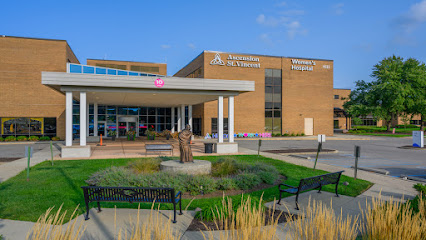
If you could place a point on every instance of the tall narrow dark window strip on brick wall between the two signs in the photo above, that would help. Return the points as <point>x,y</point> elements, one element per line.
<point>273,99</point>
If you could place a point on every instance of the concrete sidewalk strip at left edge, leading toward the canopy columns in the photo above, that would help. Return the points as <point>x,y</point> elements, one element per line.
<point>11,169</point>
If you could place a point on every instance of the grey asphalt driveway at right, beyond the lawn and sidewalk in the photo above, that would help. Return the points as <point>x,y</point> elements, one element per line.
<point>378,152</point>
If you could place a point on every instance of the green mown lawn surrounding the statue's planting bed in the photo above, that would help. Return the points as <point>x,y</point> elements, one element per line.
<point>60,184</point>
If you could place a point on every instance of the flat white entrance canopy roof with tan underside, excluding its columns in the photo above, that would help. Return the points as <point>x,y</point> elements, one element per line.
<point>144,90</point>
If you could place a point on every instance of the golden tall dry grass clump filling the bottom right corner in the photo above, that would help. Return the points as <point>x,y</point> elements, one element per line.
<point>393,220</point>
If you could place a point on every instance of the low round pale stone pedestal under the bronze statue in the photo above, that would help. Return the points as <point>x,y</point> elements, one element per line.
<point>197,167</point>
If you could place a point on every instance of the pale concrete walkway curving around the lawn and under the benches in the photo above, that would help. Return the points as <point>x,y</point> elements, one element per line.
<point>102,225</point>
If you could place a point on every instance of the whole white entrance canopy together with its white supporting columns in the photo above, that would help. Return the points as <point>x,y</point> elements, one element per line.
<point>105,86</point>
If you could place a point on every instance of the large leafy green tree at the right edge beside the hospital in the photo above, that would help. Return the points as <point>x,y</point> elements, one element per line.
<point>398,88</point>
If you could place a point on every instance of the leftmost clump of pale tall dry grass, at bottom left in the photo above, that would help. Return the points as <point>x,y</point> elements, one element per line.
<point>50,227</point>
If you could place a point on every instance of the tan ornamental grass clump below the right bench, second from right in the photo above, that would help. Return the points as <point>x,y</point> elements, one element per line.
<point>321,223</point>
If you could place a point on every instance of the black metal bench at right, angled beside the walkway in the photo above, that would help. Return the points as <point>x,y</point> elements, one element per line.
<point>311,183</point>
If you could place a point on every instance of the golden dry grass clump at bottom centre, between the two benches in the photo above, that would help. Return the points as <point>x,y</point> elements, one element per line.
<point>246,223</point>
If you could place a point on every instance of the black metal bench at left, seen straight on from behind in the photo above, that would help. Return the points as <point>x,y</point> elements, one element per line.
<point>131,194</point>
